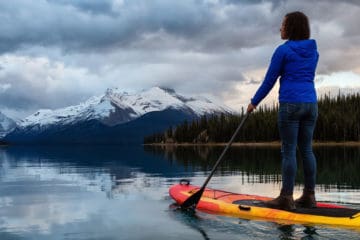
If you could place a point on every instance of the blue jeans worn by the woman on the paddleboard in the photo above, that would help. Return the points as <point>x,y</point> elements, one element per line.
<point>296,127</point>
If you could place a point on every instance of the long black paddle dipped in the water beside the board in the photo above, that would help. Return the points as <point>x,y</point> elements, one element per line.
<point>194,199</point>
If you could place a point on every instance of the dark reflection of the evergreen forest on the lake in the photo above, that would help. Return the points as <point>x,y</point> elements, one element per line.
<point>337,166</point>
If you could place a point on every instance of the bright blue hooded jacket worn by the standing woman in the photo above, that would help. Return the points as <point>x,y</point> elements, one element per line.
<point>295,62</point>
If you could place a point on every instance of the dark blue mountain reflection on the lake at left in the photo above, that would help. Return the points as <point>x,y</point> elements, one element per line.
<point>119,162</point>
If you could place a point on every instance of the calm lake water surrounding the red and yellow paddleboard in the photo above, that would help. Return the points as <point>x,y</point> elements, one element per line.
<point>113,192</point>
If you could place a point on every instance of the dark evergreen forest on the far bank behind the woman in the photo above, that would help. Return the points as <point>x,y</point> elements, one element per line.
<point>339,120</point>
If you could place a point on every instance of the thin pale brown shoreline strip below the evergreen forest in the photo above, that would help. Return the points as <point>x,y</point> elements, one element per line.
<point>255,144</point>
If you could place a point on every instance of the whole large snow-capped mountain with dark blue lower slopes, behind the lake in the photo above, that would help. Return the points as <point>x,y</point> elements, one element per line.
<point>114,117</point>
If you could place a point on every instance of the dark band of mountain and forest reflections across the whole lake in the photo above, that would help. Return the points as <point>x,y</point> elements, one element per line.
<point>337,166</point>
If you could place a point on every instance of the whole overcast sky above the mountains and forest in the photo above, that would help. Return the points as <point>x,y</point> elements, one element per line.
<point>56,53</point>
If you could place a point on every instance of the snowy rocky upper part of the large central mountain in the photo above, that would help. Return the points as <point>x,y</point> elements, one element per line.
<point>117,106</point>
